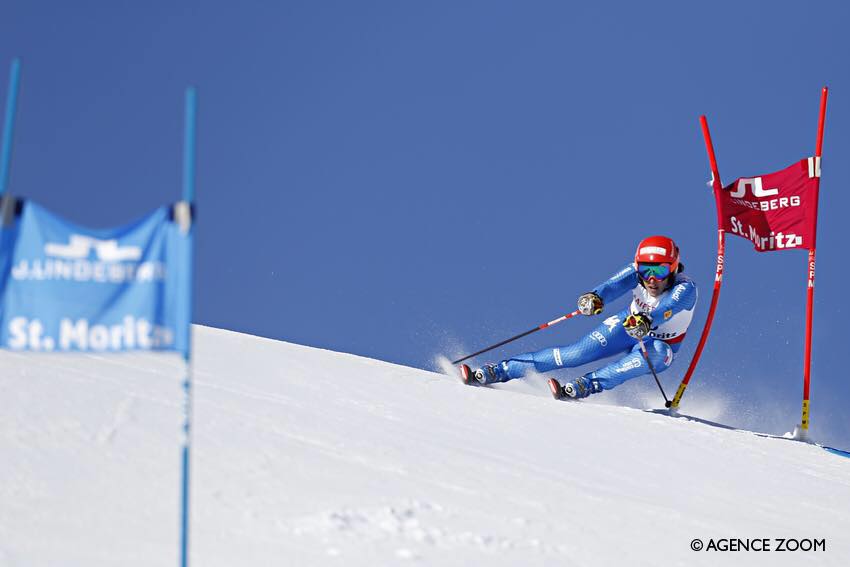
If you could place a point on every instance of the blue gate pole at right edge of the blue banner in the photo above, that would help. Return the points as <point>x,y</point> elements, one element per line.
<point>188,197</point>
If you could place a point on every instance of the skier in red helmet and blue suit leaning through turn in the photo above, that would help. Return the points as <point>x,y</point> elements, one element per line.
<point>663,301</point>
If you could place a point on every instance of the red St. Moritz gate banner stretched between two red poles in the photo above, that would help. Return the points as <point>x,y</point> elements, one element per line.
<point>776,211</point>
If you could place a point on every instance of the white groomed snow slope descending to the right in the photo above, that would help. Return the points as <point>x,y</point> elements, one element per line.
<point>310,457</point>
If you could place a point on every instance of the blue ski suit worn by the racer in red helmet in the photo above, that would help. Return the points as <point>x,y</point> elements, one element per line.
<point>671,313</point>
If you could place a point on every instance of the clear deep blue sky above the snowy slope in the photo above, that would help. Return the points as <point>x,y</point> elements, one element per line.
<point>401,179</point>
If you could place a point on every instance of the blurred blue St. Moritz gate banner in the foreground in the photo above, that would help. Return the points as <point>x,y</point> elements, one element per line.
<point>66,288</point>
